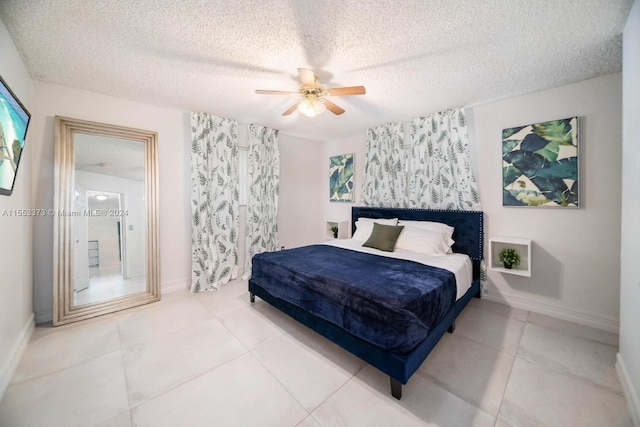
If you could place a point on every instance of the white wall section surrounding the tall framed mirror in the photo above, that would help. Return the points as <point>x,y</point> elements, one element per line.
<point>174,175</point>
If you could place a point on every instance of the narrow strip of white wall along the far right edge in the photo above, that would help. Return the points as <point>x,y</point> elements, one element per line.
<point>629,356</point>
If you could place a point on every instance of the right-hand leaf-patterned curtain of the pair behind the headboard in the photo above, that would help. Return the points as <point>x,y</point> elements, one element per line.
<point>442,177</point>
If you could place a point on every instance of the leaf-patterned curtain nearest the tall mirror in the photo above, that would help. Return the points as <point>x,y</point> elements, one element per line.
<point>214,201</point>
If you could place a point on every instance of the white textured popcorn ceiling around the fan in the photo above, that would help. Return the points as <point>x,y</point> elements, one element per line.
<point>413,56</point>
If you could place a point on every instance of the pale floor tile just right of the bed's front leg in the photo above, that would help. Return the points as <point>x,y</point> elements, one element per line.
<point>474,371</point>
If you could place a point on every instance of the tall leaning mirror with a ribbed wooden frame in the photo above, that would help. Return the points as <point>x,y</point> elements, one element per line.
<point>106,249</point>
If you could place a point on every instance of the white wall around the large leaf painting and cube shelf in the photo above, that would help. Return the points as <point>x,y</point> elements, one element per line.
<point>575,251</point>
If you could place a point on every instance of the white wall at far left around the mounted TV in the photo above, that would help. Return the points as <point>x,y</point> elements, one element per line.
<point>16,233</point>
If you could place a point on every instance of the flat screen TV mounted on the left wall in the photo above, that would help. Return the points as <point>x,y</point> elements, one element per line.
<point>14,120</point>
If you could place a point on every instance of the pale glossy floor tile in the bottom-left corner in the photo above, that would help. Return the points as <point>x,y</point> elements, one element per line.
<point>83,395</point>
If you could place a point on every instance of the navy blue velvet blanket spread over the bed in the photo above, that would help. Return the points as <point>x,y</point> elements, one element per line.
<point>389,302</point>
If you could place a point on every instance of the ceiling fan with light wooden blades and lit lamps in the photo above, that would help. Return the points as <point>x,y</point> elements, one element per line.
<point>314,94</point>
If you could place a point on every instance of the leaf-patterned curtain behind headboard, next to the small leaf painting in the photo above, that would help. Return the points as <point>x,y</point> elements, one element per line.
<point>384,172</point>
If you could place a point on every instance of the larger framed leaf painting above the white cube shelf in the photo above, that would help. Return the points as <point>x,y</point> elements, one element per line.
<point>540,164</point>
